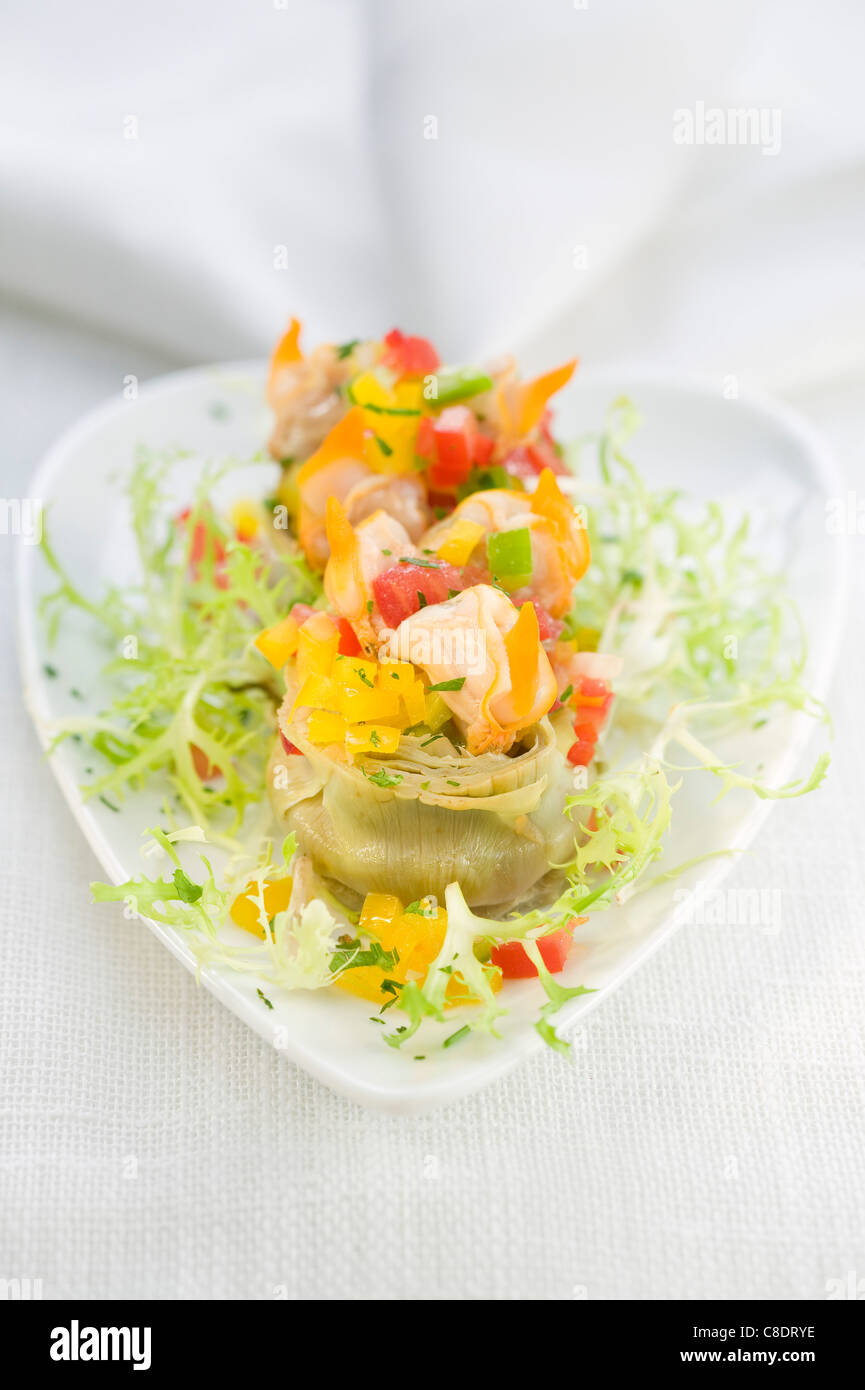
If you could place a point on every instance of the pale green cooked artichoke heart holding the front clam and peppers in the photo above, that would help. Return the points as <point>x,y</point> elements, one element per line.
<point>428,815</point>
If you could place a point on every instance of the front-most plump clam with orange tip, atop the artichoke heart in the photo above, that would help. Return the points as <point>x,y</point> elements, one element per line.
<point>479,637</point>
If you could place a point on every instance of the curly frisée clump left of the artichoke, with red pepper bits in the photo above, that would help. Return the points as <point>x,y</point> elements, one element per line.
<point>190,696</point>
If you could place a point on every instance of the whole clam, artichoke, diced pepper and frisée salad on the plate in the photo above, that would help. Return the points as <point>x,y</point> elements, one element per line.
<point>421,712</point>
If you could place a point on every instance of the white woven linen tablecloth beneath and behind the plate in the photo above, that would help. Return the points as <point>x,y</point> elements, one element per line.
<point>709,1139</point>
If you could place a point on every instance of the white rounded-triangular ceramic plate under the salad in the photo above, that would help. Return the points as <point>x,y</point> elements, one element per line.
<point>750,452</point>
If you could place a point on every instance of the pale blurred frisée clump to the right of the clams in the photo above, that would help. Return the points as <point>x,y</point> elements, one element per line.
<point>674,590</point>
